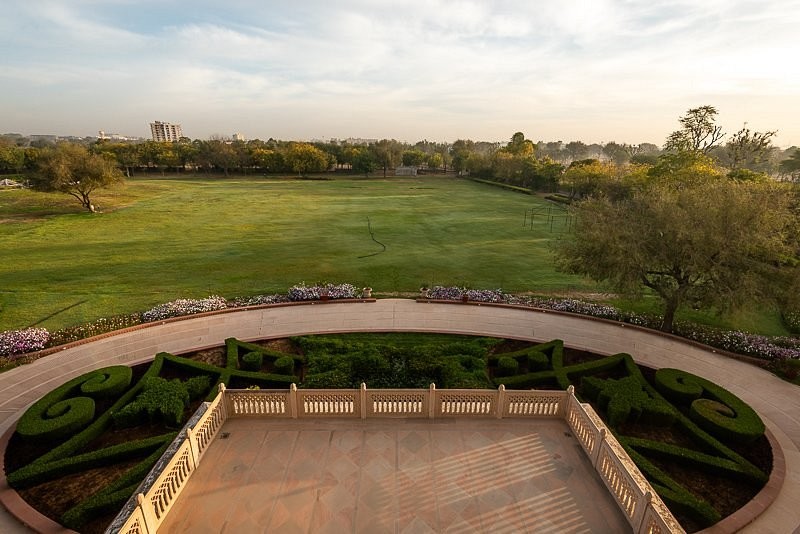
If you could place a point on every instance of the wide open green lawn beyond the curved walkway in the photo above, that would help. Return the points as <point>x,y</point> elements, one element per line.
<point>162,239</point>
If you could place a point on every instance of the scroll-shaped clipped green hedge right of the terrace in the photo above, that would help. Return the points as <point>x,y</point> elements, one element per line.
<point>714,408</point>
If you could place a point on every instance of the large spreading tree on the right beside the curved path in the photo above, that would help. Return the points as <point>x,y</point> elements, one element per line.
<point>713,243</point>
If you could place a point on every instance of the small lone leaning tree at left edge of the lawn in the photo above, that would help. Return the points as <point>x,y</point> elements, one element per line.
<point>72,169</point>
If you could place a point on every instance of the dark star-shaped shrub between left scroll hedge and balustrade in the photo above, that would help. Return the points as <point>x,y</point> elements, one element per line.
<point>161,400</point>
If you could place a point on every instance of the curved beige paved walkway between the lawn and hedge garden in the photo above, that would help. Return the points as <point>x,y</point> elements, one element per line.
<point>777,402</point>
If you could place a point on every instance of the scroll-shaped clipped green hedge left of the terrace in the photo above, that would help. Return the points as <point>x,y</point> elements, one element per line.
<point>61,413</point>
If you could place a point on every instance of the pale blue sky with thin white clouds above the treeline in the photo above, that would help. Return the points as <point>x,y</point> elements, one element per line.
<point>588,70</point>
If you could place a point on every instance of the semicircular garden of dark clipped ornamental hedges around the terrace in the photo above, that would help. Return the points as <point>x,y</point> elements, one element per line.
<point>65,426</point>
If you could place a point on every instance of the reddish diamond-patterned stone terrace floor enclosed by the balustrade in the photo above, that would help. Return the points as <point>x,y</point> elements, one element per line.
<point>395,475</point>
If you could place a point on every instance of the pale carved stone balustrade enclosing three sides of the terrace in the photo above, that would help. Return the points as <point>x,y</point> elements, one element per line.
<point>644,510</point>
